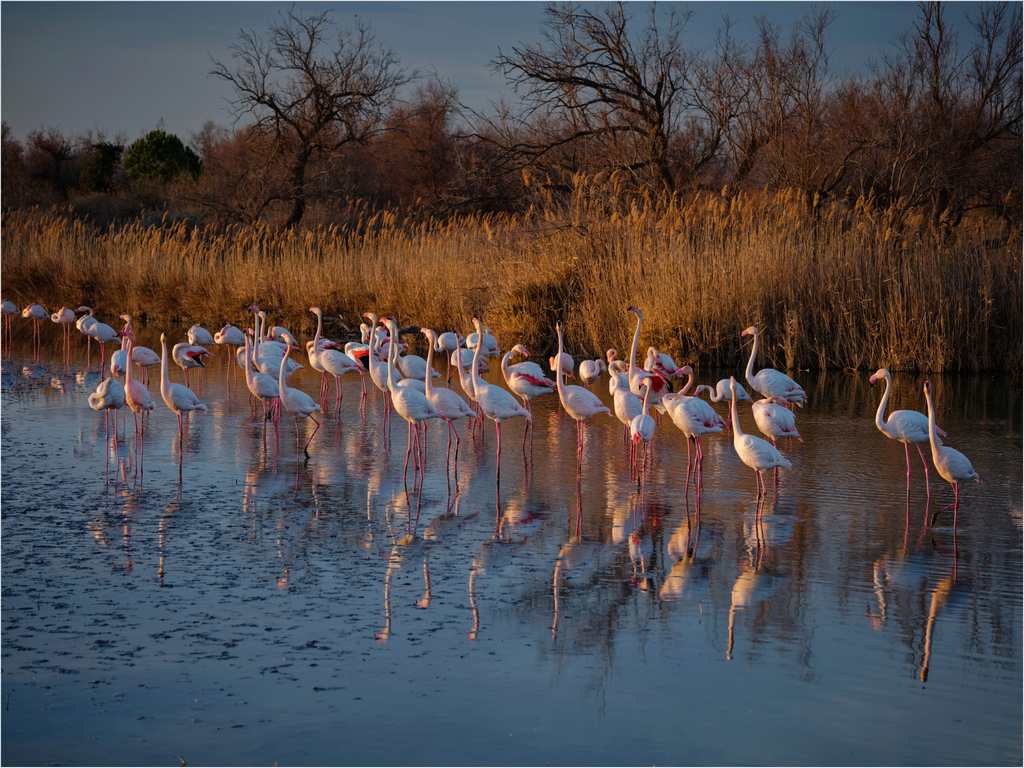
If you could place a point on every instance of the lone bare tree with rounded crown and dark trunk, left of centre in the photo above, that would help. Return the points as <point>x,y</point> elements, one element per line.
<point>312,94</point>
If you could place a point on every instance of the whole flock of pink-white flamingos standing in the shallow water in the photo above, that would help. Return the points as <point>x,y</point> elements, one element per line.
<point>265,355</point>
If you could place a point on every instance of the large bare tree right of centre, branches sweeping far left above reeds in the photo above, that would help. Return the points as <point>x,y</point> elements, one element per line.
<point>596,95</point>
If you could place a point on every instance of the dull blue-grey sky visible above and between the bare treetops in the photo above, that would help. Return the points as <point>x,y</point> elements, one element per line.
<point>127,68</point>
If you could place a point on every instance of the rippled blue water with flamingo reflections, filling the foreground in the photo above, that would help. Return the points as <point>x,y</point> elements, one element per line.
<point>268,610</point>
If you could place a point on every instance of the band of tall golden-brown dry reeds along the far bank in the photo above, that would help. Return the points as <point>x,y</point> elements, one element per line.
<point>845,288</point>
